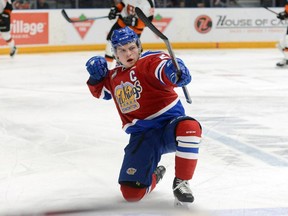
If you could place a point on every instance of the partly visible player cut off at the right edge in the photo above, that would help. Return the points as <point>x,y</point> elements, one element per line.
<point>283,43</point>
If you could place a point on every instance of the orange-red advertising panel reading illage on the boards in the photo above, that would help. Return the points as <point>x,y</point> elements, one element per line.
<point>29,28</point>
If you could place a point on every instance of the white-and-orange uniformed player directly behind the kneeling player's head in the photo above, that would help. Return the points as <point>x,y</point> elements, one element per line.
<point>127,17</point>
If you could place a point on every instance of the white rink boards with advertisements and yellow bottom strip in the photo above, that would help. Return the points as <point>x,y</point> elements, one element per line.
<point>38,31</point>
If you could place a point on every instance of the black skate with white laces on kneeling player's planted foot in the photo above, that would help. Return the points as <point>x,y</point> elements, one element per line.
<point>182,192</point>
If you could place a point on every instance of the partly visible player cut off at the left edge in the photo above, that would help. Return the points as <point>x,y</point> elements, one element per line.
<point>5,13</point>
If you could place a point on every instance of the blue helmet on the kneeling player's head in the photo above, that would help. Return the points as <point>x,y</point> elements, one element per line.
<point>123,36</point>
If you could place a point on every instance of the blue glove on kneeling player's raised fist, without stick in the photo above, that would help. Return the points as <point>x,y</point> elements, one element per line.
<point>97,68</point>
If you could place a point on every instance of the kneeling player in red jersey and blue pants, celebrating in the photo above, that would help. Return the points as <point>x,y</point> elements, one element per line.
<point>142,87</point>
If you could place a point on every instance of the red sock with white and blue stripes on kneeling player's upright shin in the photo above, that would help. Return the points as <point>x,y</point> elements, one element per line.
<point>188,136</point>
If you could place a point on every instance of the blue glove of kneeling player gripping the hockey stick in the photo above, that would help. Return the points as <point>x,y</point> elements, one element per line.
<point>171,72</point>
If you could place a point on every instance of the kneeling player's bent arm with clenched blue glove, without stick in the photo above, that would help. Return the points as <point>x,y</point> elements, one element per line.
<point>98,70</point>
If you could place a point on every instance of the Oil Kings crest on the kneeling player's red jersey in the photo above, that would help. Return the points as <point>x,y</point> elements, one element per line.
<point>127,95</point>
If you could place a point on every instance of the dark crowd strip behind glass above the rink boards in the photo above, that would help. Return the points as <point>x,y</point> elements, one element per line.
<point>58,4</point>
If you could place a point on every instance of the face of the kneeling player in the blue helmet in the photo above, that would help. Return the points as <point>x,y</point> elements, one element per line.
<point>128,54</point>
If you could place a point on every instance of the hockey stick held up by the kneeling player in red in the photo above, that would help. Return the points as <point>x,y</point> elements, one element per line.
<point>149,24</point>
